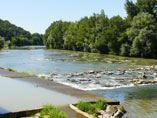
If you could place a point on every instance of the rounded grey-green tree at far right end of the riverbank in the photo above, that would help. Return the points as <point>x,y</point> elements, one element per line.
<point>143,34</point>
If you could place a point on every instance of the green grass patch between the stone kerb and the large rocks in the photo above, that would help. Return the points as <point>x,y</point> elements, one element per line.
<point>90,108</point>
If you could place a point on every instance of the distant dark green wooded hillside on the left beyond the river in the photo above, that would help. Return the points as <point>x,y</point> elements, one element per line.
<point>11,35</point>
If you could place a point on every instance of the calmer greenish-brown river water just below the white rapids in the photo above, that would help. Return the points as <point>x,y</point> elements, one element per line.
<point>140,102</point>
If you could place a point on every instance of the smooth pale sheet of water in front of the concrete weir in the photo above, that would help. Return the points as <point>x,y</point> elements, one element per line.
<point>17,96</point>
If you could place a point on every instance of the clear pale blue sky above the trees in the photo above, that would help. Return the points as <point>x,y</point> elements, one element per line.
<point>37,15</point>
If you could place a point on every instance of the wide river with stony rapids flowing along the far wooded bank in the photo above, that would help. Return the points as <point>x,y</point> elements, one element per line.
<point>100,74</point>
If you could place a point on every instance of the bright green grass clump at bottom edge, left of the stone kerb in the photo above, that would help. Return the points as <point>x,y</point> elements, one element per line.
<point>52,112</point>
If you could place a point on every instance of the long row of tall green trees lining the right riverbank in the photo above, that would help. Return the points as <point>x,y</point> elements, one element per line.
<point>135,35</point>
